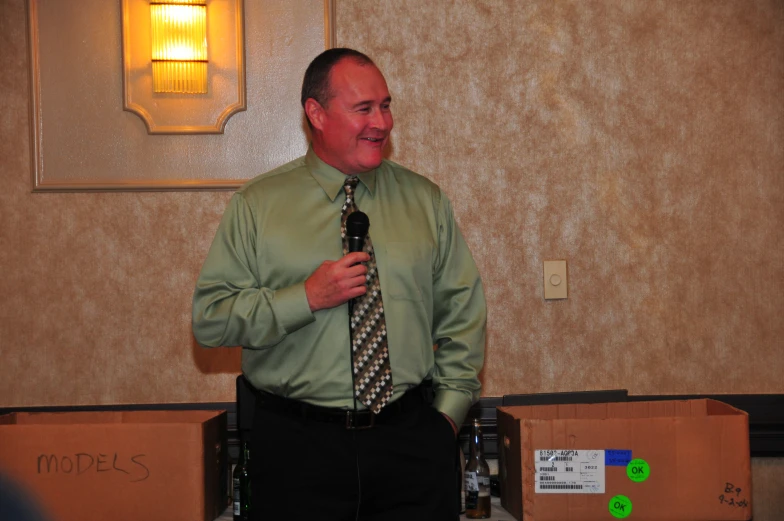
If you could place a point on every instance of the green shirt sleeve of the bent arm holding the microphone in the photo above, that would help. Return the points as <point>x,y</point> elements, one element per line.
<point>229,306</point>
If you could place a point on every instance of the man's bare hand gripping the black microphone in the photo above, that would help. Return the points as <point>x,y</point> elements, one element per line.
<point>336,282</point>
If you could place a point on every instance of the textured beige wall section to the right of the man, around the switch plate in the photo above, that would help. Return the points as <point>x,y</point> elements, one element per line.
<point>641,141</point>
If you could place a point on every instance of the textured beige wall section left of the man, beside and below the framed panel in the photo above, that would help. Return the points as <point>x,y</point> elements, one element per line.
<point>95,287</point>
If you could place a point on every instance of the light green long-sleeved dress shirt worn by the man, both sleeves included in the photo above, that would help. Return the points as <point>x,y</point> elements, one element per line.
<point>280,226</point>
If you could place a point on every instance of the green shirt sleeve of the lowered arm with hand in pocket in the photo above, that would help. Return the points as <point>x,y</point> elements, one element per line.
<point>459,320</point>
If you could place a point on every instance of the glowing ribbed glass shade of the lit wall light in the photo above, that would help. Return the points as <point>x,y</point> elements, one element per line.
<point>179,46</point>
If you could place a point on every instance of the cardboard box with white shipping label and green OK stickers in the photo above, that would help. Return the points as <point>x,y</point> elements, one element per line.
<point>575,462</point>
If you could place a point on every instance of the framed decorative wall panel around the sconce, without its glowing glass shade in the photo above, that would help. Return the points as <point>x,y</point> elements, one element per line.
<point>89,131</point>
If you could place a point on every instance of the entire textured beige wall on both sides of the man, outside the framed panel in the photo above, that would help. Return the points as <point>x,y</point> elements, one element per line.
<point>640,141</point>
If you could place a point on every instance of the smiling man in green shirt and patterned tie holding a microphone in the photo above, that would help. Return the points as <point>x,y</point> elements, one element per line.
<point>278,282</point>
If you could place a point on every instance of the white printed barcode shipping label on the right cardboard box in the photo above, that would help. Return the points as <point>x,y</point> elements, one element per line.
<point>566,471</point>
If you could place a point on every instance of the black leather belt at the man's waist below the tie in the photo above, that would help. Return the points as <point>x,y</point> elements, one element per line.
<point>411,400</point>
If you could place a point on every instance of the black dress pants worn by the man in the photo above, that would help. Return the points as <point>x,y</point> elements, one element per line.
<point>401,470</point>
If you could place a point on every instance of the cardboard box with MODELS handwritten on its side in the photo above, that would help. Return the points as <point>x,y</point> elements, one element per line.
<point>122,466</point>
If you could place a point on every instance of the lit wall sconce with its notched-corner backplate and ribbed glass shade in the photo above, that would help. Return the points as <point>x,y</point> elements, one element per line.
<point>165,63</point>
